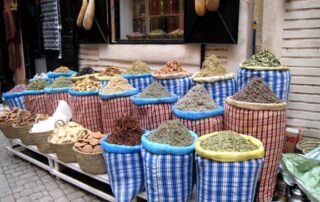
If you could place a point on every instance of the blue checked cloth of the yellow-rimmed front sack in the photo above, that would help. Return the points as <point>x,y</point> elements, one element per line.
<point>232,181</point>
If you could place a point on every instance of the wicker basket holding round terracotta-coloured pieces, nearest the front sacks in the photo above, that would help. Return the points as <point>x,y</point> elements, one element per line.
<point>91,163</point>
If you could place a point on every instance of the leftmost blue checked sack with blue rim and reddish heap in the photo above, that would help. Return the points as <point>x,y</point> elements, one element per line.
<point>15,97</point>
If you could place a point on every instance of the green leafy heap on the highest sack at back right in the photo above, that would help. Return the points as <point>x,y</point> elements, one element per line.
<point>263,58</point>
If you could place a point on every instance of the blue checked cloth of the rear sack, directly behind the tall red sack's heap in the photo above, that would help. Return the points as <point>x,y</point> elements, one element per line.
<point>279,81</point>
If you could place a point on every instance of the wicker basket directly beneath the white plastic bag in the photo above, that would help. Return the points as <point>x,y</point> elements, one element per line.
<point>41,140</point>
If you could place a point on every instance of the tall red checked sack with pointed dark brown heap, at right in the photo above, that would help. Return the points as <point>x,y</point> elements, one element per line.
<point>256,111</point>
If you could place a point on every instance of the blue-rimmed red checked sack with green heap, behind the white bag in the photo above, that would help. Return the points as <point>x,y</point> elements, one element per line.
<point>57,91</point>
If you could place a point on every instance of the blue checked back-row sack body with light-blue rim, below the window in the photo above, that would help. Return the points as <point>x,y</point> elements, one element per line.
<point>139,81</point>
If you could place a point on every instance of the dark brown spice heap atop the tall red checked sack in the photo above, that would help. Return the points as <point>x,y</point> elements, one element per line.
<point>256,91</point>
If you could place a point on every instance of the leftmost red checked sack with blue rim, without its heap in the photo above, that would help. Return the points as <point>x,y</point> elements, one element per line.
<point>35,101</point>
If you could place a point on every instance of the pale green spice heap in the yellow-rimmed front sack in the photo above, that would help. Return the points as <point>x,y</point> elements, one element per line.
<point>227,141</point>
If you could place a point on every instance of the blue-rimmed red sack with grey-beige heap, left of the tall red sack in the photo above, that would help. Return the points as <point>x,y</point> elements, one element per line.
<point>198,112</point>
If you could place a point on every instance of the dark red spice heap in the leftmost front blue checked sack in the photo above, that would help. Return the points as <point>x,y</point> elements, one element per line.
<point>126,131</point>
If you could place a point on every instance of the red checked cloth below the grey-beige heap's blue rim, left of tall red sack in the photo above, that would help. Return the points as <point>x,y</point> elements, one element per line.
<point>202,126</point>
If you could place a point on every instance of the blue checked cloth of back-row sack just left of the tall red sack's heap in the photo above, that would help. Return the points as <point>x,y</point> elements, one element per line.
<point>220,90</point>
